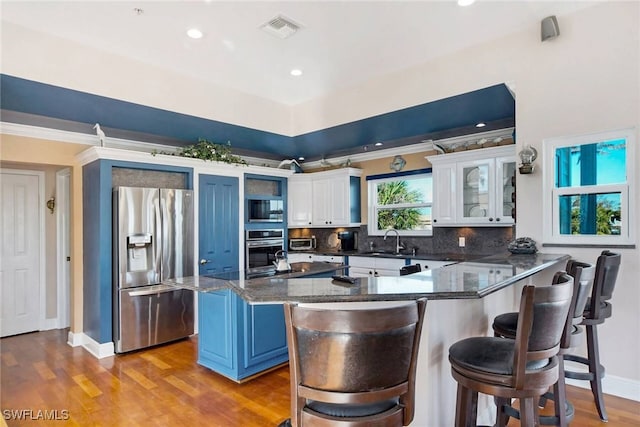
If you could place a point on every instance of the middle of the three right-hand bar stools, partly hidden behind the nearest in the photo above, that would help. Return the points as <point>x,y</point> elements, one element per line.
<point>505,325</point>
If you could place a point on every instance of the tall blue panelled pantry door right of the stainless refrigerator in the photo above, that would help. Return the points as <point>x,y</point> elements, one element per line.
<point>218,224</point>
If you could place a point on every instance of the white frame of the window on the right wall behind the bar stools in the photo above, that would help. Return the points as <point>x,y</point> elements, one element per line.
<point>551,229</point>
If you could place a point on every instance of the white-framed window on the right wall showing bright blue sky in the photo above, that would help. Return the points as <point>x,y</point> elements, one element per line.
<point>590,184</point>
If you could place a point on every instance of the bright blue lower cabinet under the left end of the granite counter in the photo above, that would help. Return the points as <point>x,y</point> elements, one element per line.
<point>237,339</point>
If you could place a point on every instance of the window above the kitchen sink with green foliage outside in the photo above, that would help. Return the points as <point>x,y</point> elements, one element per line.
<point>401,201</point>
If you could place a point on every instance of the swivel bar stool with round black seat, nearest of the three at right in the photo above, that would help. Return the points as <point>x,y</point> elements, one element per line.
<point>523,368</point>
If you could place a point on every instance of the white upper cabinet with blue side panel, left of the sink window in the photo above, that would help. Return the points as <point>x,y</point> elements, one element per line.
<point>325,199</point>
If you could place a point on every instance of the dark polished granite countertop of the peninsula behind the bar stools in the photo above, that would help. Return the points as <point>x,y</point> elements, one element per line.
<point>469,279</point>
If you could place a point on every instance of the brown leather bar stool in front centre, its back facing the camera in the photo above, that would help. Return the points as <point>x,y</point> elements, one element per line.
<point>353,367</point>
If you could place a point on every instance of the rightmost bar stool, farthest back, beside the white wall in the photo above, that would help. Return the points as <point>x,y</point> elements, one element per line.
<point>598,309</point>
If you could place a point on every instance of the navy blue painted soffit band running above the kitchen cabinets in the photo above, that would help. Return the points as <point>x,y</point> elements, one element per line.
<point>25,96</point>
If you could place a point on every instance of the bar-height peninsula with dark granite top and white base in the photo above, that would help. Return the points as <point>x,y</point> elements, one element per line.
<point>462,298</point>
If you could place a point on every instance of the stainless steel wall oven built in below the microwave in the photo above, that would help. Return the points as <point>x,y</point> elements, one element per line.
<point>261,247</point>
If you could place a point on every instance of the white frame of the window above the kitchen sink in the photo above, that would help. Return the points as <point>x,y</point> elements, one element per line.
<point>373,180</point>
